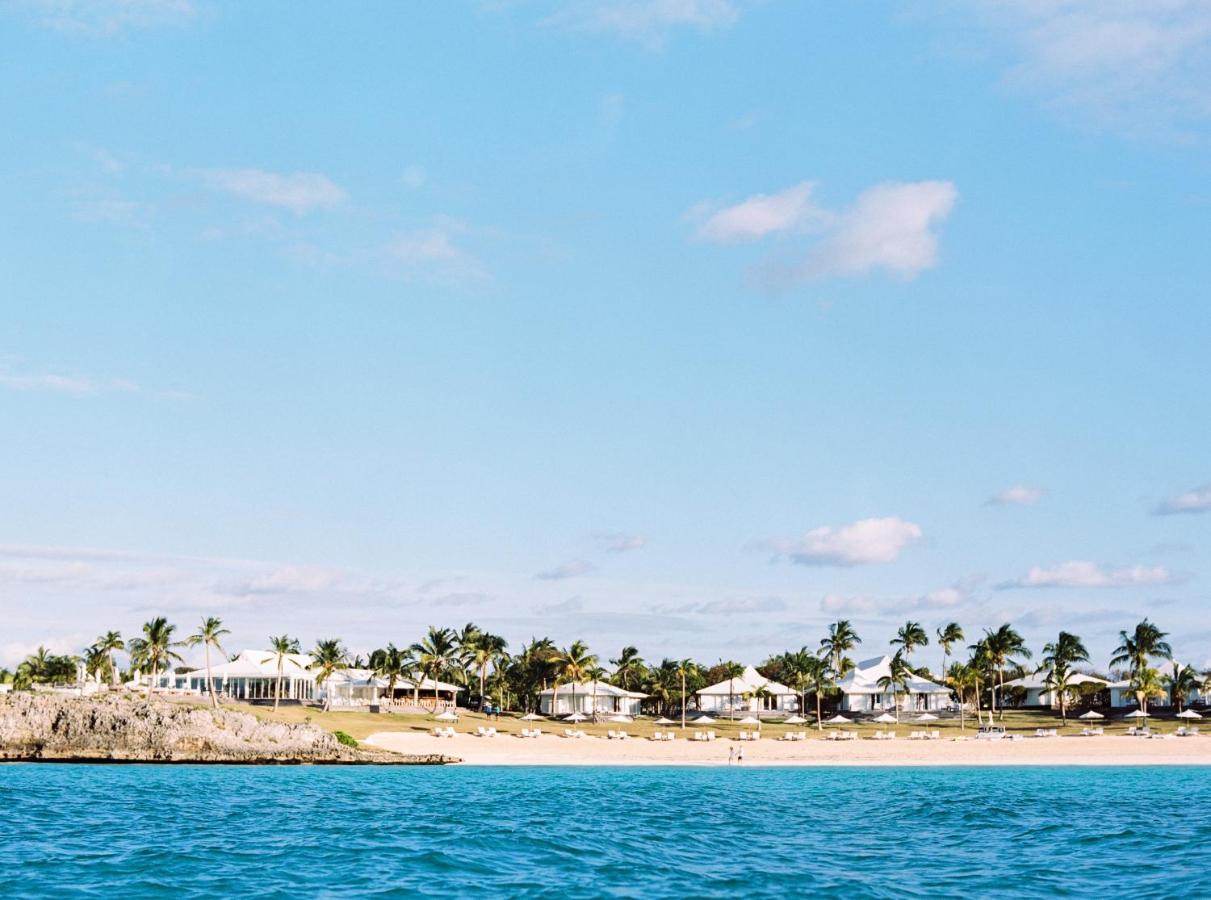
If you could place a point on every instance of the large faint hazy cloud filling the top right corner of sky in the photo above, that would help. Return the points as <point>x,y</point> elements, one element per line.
<point>1141,67</point>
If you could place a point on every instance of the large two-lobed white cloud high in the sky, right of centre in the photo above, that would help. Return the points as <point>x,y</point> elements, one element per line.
<point>889,228</point>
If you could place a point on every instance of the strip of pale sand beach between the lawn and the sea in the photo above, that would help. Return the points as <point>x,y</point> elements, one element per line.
<point>552,750</point>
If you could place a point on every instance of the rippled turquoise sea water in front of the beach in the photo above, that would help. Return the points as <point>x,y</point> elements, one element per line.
<point>139,832</point>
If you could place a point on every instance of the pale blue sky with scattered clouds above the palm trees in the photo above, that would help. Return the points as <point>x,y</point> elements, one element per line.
<point>693,325</point>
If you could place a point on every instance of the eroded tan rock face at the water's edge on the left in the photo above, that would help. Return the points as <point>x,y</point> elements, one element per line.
<point>47,727</point>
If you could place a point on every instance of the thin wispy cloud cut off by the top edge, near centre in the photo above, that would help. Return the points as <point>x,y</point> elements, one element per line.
<point>646,22</point>
